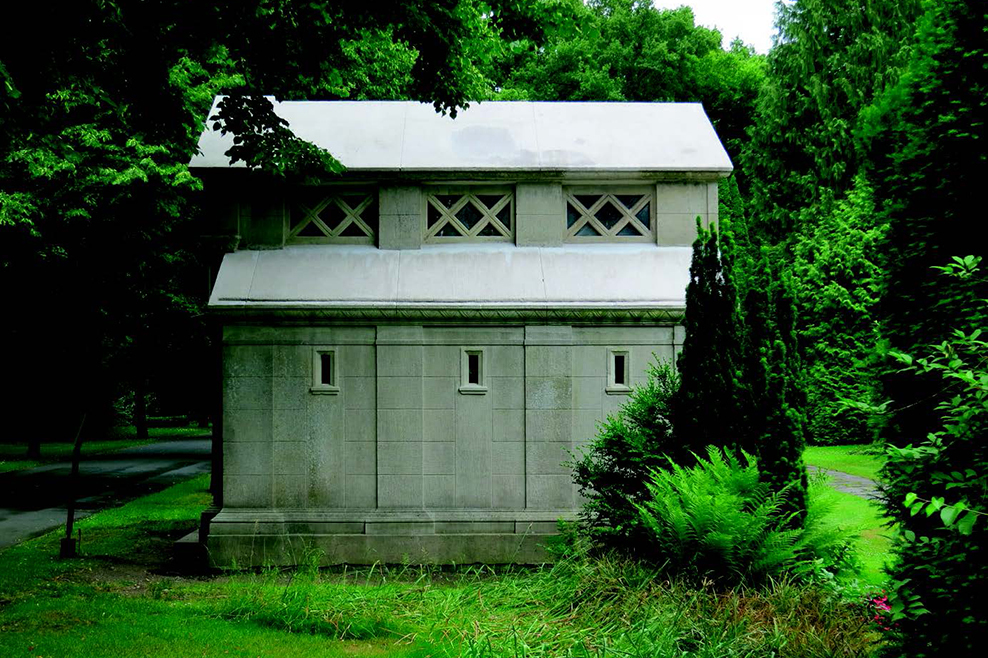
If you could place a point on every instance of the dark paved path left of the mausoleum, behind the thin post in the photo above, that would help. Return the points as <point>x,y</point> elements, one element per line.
<point>33,501</point>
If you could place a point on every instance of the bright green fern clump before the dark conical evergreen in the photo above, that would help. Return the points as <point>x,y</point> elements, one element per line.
<point>717,521</point>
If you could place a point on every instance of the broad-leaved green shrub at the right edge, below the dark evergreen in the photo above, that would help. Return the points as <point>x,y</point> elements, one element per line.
<point>936,489</point>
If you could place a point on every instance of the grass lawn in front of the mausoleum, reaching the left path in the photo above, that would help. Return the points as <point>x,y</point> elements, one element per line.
<point>125,599</point>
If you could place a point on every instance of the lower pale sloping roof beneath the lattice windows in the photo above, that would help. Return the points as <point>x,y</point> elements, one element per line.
<point>470,276</point>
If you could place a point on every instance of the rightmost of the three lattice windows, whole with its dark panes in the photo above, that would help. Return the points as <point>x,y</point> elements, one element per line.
<point>620,215</point>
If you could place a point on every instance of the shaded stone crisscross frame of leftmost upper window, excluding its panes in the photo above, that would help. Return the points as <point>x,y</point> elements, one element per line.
<point>335,196</point>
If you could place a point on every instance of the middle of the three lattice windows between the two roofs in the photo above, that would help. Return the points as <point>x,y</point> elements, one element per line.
<point>482,216</point>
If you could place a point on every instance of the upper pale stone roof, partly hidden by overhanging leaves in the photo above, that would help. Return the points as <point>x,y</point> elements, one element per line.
<point>498,136</point>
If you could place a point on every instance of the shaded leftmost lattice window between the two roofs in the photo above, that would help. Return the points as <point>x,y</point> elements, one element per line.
<point>347,217</point>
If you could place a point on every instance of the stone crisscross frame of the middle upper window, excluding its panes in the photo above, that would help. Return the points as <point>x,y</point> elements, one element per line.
<point>469,195</point>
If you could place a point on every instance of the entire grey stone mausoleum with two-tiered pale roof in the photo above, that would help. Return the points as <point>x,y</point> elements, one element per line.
<point>413,350</point>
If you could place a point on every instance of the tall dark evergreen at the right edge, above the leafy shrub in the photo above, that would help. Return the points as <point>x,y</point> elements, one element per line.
<point>928,138</point>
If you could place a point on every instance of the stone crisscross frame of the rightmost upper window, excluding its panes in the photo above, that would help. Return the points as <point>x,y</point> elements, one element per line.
<point>607,194</point>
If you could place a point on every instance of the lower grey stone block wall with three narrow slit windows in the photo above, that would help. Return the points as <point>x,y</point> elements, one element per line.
<point>400,460</point>
